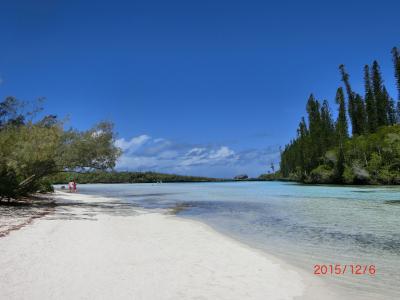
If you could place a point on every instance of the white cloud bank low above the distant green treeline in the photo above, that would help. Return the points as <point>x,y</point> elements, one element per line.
<point>157,154</point>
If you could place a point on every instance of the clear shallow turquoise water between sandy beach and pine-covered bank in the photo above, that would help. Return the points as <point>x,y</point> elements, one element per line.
<point>304,225</point>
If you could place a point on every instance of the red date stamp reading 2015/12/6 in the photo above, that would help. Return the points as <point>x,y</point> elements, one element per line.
<point>338,269</point>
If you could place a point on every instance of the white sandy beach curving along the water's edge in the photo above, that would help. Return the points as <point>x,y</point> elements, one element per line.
<point>95,254</point>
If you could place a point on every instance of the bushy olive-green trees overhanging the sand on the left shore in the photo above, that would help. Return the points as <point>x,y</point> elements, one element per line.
<point>32,149</point>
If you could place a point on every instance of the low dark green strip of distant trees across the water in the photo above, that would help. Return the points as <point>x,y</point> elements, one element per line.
<point>124,177</point>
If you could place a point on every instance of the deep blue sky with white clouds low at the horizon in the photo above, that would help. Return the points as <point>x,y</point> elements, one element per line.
<point>195,87</point>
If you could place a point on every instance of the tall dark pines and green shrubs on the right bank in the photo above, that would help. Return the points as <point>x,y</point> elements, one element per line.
<point>325,152</point>
